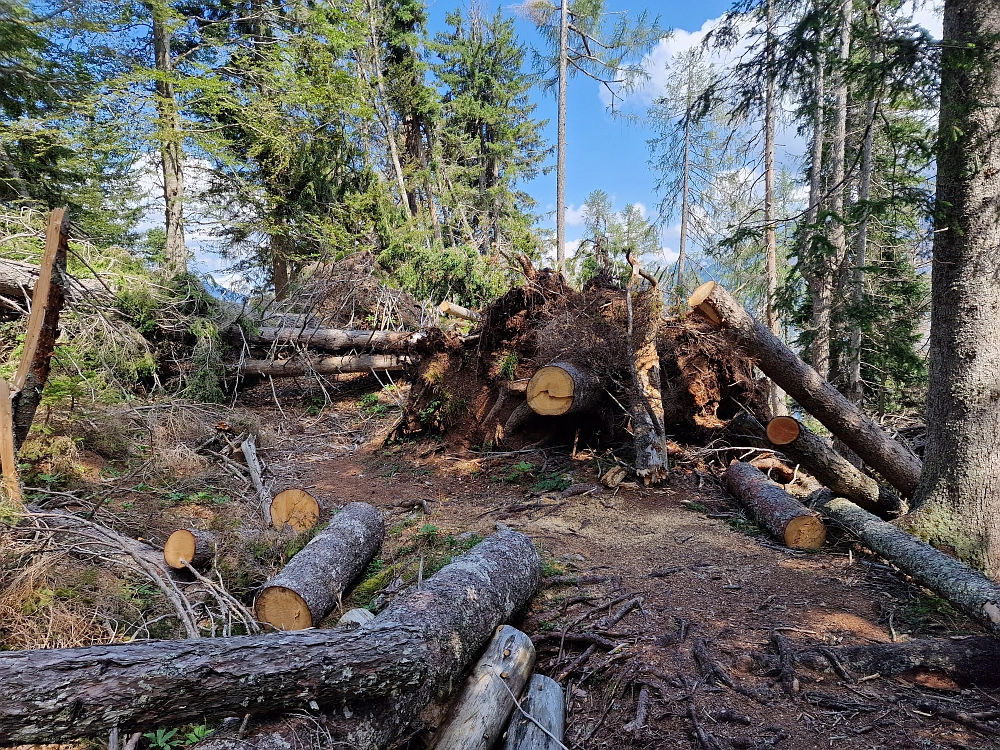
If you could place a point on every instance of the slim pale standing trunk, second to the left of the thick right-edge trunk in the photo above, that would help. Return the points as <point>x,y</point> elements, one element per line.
<point>822,317</point>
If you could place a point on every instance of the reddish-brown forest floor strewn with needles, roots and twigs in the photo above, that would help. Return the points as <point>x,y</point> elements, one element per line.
<point>697,571</point>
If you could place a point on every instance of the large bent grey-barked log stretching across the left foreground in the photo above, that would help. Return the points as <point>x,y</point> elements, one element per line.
<point>411,652</point>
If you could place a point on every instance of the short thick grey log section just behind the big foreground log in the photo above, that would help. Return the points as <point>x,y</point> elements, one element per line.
<point>311,584</point>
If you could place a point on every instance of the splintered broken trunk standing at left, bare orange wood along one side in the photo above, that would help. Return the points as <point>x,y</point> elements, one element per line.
<point>43,326</point>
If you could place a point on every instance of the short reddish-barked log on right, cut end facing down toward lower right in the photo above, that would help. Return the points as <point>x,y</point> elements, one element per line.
<point>780,513</point>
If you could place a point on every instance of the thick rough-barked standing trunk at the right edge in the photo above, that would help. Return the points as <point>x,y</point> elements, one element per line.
<point>958,501</point>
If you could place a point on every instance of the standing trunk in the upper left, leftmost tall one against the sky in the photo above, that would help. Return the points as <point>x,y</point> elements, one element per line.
<point>171,148</point>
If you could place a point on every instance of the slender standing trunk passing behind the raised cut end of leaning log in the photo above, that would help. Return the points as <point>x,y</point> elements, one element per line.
<point>776,396</point>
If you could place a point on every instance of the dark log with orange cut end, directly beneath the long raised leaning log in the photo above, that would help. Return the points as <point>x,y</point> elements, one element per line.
<point>829,467</point>
